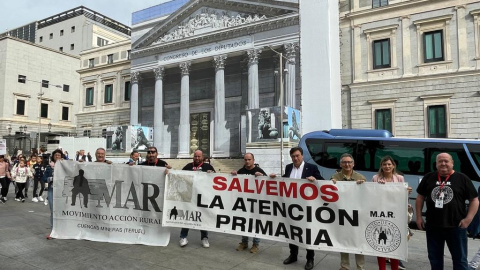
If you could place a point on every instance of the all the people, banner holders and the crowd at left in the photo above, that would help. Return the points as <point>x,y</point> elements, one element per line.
<point>444,191</point>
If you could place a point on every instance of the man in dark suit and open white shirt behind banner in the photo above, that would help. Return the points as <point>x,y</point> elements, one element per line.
<point>300,170</point>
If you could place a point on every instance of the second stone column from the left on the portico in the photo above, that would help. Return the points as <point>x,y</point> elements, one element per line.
<point>158,110</point>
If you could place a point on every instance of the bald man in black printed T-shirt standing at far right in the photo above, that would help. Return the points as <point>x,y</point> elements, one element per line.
<point>445,192</point>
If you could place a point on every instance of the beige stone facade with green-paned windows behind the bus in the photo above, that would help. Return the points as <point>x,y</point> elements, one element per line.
<point>411,66</point>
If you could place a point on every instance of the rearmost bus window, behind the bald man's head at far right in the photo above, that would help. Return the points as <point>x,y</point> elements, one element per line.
<point>461,163</point>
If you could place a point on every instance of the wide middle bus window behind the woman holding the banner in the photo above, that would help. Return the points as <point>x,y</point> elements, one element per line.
<point>408,156</point>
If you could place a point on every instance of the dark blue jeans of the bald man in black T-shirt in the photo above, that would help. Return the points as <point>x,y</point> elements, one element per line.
<point>456,239</point>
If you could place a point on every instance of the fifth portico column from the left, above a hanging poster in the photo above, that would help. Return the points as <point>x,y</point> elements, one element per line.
<point>253,89</point>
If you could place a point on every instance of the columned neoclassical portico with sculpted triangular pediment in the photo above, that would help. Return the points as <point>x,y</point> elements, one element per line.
<point>198,72</point>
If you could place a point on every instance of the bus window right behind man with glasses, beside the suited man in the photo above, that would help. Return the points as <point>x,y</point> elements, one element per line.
<point>334,150</point>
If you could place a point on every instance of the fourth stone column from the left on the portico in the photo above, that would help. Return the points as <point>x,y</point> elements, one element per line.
<point>221,137</point>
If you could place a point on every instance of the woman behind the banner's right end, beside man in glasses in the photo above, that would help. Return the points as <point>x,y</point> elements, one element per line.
<point>386,174</point>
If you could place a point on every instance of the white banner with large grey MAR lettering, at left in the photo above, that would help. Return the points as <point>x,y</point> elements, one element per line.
<point>109,203</point>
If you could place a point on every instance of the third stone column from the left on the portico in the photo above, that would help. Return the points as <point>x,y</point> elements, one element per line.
<point>184,129</point>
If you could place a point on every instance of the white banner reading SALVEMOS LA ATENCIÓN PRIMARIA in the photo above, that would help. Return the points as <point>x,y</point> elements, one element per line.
<point>369,219</point>
